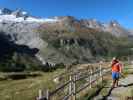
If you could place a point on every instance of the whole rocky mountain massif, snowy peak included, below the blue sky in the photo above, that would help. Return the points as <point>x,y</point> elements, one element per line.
<point>62,39</point>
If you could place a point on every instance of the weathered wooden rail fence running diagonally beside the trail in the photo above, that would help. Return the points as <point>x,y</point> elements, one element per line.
<point>71,88</point>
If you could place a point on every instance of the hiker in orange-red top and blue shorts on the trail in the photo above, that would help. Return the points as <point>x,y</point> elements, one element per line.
<point>116,70</point>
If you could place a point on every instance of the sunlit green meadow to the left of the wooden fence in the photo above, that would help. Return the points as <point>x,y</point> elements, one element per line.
<point>27,89</point>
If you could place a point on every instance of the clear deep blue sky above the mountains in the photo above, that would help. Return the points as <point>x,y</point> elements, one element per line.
<point>101,10</point>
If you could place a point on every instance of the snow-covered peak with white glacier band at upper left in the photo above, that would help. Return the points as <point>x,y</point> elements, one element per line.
<point>21,16</point>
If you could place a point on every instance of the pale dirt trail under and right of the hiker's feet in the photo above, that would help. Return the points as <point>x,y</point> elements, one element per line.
<point>123,91</point>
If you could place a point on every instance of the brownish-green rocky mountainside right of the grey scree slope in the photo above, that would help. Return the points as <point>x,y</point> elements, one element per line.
<point>75,41</point>
